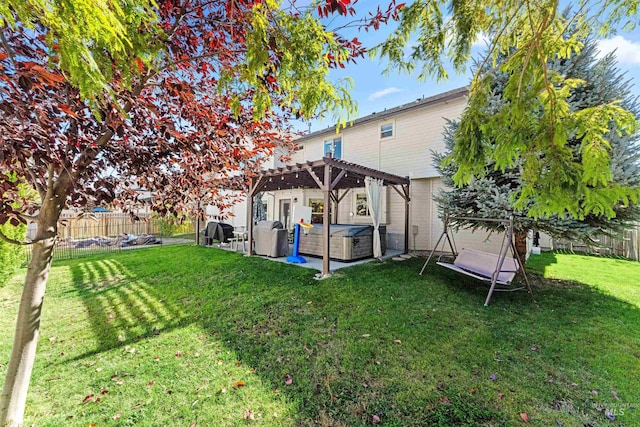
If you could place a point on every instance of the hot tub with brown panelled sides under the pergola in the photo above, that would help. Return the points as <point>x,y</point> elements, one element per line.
<point>347,242</point>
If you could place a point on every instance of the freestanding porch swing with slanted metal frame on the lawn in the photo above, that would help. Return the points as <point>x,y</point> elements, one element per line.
<point>497,269</point>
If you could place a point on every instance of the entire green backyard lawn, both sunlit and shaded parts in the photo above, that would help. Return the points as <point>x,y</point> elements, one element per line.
<point>173,335</point>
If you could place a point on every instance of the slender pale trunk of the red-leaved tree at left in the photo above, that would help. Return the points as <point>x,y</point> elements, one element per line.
<point>23,353</point>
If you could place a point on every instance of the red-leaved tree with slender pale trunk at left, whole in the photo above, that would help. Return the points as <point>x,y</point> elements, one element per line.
<point>196,111</point>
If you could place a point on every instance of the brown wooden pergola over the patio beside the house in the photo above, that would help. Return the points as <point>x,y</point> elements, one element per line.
<point>330,175</point>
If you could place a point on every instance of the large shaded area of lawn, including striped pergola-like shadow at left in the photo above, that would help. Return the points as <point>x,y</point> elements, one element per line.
<point>379,340</point>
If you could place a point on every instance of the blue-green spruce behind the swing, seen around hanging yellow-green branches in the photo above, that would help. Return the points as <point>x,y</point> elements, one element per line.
<point>493,194</point>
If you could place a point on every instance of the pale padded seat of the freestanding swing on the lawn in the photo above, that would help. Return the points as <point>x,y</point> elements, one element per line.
<point>482,265</point>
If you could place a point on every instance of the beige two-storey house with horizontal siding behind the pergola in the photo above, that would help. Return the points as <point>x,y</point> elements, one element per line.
<point>397,141</point>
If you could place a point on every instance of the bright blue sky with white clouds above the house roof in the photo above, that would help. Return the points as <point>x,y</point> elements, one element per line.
<point>374,91</point>
